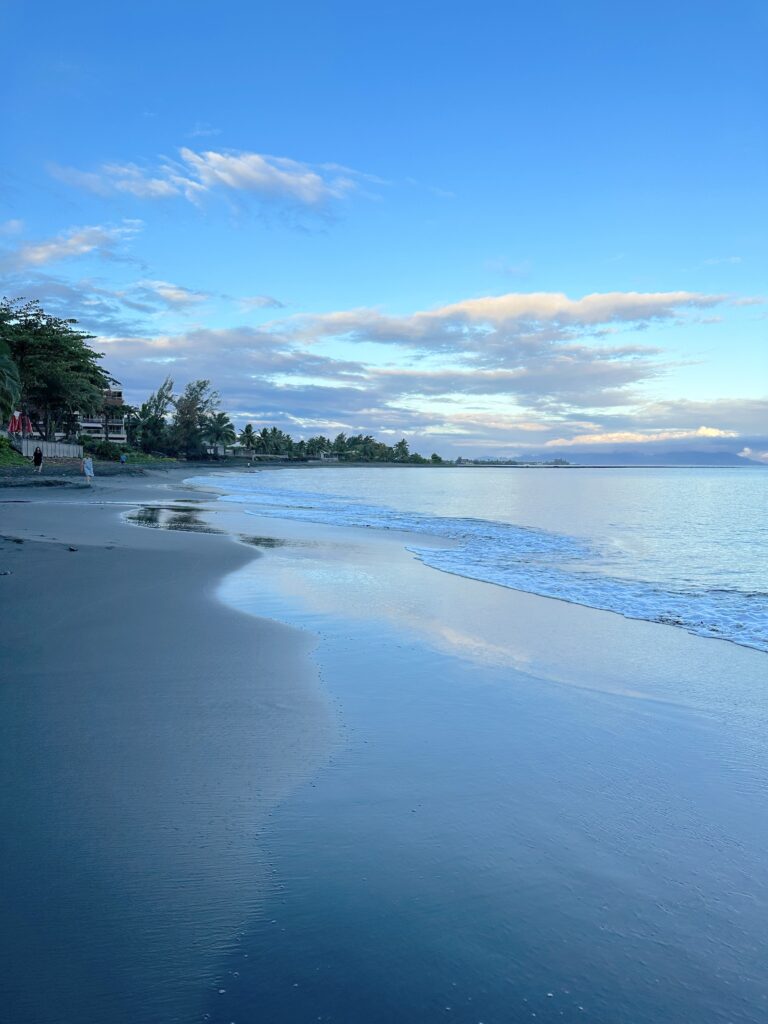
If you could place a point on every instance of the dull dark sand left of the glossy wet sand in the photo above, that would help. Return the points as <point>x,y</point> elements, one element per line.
<point>146,733</point>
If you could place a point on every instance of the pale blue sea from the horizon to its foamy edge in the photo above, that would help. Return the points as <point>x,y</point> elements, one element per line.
<point>686,547</point>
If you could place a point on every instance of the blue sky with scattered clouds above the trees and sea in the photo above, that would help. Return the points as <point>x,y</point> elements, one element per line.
<point>490,228</point>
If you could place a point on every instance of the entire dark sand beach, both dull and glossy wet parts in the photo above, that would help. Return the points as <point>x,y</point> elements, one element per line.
<point>523,810</point>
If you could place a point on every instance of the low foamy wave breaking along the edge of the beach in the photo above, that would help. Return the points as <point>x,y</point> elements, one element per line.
<point>524,559</point>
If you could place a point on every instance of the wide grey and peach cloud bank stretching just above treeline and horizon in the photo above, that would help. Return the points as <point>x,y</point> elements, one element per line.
<point>518,371</point>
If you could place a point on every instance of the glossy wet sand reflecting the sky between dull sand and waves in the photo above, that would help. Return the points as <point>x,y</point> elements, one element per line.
<point>583,840</point>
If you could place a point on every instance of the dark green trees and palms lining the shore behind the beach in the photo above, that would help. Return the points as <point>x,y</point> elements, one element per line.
<point>50,373</point>
